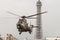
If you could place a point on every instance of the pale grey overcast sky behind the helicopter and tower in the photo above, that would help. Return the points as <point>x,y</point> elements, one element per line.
<point>50,20</point>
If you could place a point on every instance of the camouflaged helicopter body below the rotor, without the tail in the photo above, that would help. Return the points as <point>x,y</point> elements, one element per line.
<point>22,26</point>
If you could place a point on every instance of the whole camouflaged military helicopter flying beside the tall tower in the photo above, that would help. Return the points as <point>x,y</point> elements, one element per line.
<point>22,24</point>
